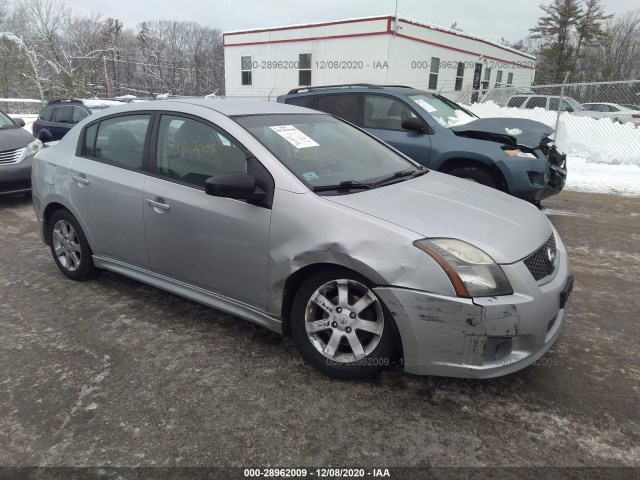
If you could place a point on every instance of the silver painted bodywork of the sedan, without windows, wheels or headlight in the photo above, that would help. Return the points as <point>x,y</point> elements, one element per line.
<point>237,257</point>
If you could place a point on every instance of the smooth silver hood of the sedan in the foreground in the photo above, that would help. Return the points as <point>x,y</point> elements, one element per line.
<point>437,205</point>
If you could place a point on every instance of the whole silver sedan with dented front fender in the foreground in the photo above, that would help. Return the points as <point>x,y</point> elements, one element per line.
<point>310,227</point>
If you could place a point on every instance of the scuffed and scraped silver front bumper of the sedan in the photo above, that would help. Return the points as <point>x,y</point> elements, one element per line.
<point>480,337</point>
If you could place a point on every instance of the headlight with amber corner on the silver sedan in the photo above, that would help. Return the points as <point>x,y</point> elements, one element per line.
<point>472,272</point>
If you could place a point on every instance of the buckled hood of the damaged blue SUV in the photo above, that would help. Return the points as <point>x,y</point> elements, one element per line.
<point>510,131</point>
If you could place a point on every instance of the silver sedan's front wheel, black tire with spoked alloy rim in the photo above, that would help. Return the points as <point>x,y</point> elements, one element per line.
<point>378,349</point>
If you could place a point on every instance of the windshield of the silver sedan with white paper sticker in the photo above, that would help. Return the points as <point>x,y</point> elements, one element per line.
<point>323,151</point>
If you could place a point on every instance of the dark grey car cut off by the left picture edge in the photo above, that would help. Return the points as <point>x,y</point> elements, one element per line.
<point>17,148</point>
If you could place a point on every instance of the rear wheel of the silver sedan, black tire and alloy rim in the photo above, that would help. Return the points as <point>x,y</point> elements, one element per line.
<point>74,259</point>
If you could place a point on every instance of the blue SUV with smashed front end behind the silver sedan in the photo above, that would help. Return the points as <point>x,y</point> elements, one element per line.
<point>514,155</point>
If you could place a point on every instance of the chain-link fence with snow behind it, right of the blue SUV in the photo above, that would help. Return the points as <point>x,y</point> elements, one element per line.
<point>598,121</point>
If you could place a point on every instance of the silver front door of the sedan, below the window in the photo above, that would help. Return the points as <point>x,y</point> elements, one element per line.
<point>217,243</point>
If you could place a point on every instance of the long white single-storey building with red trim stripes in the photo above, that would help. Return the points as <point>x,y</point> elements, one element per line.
<point>376,50</point>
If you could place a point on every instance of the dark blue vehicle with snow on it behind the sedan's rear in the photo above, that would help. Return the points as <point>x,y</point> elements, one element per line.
<point>59,116</point>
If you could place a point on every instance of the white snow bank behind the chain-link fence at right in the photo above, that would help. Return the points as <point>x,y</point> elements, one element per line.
<point>595,140</point>
